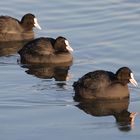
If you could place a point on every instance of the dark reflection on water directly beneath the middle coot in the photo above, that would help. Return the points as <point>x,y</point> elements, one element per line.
<point>58,72</point>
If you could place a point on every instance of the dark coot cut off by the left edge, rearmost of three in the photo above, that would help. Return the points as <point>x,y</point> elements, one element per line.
<point>11,29</point>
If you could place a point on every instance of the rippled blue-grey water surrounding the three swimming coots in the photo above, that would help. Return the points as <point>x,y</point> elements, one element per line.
<point>39,105</point>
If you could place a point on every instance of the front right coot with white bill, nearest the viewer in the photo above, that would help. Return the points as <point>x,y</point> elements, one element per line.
<point>101,84</point>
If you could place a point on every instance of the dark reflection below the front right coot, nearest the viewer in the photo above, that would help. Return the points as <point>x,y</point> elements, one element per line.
<point>118,109</point>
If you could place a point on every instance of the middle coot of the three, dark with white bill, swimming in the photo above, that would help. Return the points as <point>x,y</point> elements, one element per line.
<point>46,50</point>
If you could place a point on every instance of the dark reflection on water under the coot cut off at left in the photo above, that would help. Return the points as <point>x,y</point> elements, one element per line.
<point>11,47</point>
